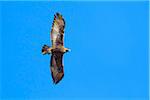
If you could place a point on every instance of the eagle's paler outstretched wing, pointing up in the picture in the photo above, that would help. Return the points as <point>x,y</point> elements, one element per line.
<point>57,32</point>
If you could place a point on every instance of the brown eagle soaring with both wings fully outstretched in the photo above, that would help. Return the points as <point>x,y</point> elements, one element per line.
<point>57,50</point>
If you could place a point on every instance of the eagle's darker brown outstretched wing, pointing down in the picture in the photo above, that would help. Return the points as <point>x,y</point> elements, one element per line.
<point>57,70</point>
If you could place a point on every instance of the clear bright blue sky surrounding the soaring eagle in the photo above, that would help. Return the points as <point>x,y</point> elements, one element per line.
<point>109,43</point>
